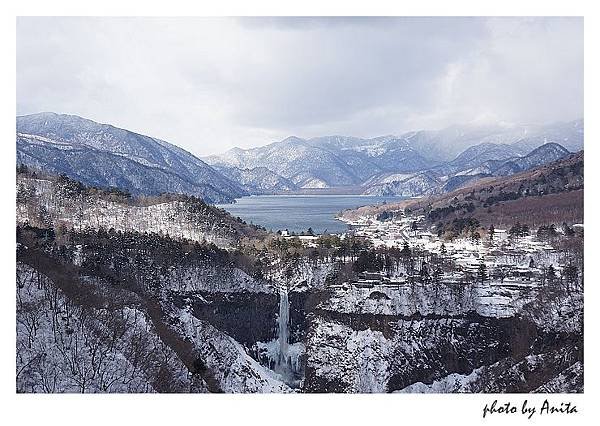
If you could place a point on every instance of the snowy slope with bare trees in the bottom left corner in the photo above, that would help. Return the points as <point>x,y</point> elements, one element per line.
<point>62,347</point>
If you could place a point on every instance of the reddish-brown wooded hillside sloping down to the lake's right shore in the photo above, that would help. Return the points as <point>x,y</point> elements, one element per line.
<point>551,193</point>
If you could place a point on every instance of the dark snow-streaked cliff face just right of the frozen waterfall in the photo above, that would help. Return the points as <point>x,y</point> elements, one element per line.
<point>379,354</point>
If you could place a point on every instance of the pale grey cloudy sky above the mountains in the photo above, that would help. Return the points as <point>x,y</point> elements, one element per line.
<point>208,84</point>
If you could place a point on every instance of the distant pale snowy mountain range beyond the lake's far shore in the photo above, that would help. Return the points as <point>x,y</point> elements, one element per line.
<point>395,164</point>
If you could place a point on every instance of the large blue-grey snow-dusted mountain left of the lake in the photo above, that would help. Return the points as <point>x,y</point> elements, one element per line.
<point>104,156</point>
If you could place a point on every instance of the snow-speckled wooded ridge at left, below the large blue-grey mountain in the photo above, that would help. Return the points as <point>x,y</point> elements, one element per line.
<point>60,202</point>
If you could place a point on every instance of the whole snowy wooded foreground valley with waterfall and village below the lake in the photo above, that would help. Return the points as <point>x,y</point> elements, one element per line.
<point>117,293</point>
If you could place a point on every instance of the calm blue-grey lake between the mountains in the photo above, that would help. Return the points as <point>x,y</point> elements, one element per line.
<point>299,212</point>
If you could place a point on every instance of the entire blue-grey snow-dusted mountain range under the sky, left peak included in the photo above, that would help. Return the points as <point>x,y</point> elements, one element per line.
<point>415,163</point>
